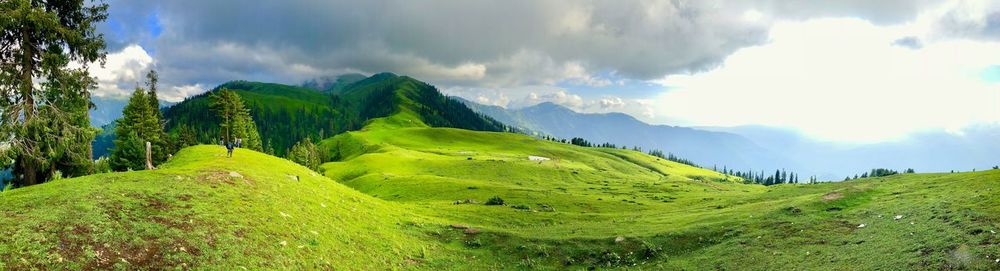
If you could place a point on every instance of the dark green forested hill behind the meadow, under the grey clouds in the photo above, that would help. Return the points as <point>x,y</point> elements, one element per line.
<point>286,114</point>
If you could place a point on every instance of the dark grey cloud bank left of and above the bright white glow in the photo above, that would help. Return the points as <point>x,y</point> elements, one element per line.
<point>496,43</point>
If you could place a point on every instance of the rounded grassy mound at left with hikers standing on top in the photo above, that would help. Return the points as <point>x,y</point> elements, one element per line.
<point>192,213</point>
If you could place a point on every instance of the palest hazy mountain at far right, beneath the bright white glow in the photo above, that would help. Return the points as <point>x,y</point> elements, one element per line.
<point>935,151</point>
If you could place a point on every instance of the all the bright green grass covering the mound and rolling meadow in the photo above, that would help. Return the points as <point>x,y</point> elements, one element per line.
<point>400,194</point>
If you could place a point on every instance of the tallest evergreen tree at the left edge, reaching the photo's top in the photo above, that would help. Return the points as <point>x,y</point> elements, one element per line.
<point>40,121</point>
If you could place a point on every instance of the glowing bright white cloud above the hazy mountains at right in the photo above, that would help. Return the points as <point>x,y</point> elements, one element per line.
<point>843,79</point>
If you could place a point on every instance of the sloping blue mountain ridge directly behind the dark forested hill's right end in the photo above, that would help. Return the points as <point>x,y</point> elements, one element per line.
<point>706,148</point>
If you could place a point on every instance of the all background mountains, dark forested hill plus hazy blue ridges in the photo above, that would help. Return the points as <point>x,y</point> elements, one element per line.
<point>325,106</point>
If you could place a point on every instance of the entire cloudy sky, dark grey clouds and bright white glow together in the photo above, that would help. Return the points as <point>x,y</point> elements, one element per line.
<point>827,68</point>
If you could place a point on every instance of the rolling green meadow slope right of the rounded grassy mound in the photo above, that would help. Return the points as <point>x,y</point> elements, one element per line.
<point>670,215</point>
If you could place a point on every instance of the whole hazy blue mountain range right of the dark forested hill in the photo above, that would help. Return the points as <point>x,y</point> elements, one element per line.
<point>759,147</point>
